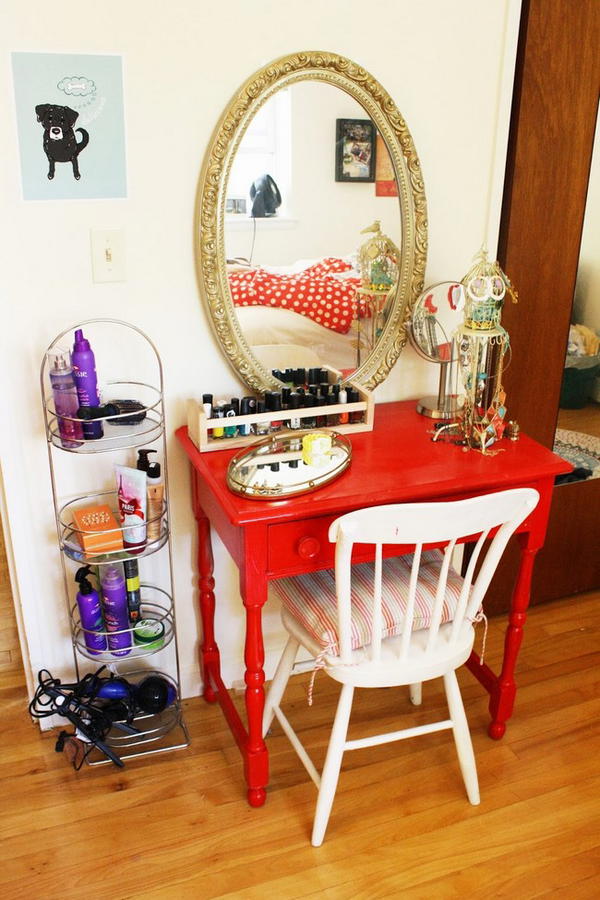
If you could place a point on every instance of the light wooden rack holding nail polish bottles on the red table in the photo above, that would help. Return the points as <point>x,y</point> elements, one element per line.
<point>361,411</point>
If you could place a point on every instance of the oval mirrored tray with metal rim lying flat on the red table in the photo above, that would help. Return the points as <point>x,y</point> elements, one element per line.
<point>282,467</point>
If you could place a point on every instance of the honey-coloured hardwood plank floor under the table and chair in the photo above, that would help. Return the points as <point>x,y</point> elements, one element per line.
<point>177,825</point>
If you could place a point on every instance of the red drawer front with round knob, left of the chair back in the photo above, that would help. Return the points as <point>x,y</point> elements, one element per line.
<point>300,546</point>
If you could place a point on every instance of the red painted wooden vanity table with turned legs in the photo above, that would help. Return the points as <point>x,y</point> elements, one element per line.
<point>397,462</point>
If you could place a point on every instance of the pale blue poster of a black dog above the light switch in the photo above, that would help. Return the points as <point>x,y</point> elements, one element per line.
<point>71,126</point>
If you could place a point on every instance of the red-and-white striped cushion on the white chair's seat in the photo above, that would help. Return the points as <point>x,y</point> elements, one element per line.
<point>311,599</point>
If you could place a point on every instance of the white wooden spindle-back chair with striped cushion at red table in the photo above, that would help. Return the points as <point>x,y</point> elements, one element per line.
<point>397,621</point>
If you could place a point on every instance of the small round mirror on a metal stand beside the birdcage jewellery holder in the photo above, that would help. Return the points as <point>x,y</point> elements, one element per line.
<point>436,315</point>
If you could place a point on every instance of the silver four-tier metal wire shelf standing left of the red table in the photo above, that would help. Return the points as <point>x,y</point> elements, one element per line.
<point>117,345</point>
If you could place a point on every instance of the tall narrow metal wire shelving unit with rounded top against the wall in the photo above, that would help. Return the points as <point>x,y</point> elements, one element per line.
<point>165,731</point>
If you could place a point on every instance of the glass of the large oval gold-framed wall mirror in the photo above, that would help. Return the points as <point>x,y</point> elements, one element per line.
<point>309,180</point>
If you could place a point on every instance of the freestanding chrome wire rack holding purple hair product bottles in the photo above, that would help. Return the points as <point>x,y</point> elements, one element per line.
<point>155,732</point>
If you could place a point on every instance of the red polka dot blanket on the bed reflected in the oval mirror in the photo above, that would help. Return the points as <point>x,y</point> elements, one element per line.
<point>315,292</point>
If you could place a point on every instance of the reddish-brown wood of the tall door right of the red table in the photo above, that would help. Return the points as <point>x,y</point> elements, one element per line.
<point>555,102</point>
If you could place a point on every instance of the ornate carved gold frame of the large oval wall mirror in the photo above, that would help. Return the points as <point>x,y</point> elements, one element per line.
<point>210,207</point>
